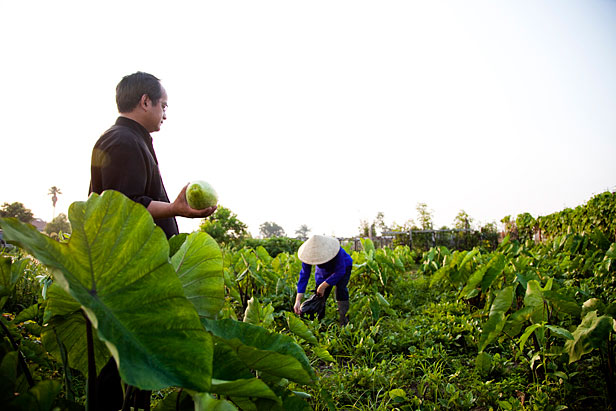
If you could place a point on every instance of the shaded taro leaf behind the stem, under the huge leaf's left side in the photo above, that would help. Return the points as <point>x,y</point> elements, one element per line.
<point>66,324</point>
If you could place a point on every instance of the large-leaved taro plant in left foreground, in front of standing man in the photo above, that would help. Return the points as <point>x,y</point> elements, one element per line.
<point>155,314</point>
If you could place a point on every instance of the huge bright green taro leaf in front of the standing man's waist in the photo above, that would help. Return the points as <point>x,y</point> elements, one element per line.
<point>116,265</point>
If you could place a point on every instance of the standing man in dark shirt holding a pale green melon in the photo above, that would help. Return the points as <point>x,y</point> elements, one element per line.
<point>123,159</point>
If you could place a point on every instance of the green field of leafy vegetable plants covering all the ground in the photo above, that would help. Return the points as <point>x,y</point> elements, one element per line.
<point>528,326</point>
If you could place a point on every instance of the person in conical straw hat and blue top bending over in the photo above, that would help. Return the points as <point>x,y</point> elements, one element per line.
<point>333,268</point>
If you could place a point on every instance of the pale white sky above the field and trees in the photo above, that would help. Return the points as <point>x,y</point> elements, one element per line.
<point>323,112</point>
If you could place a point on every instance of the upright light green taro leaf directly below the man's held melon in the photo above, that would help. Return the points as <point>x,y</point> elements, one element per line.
<point>198,264</point>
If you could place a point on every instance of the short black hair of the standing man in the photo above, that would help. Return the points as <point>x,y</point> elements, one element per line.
<point>130,89</point>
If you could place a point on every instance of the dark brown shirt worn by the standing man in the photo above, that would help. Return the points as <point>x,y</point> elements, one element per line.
<point>123,159</point>
